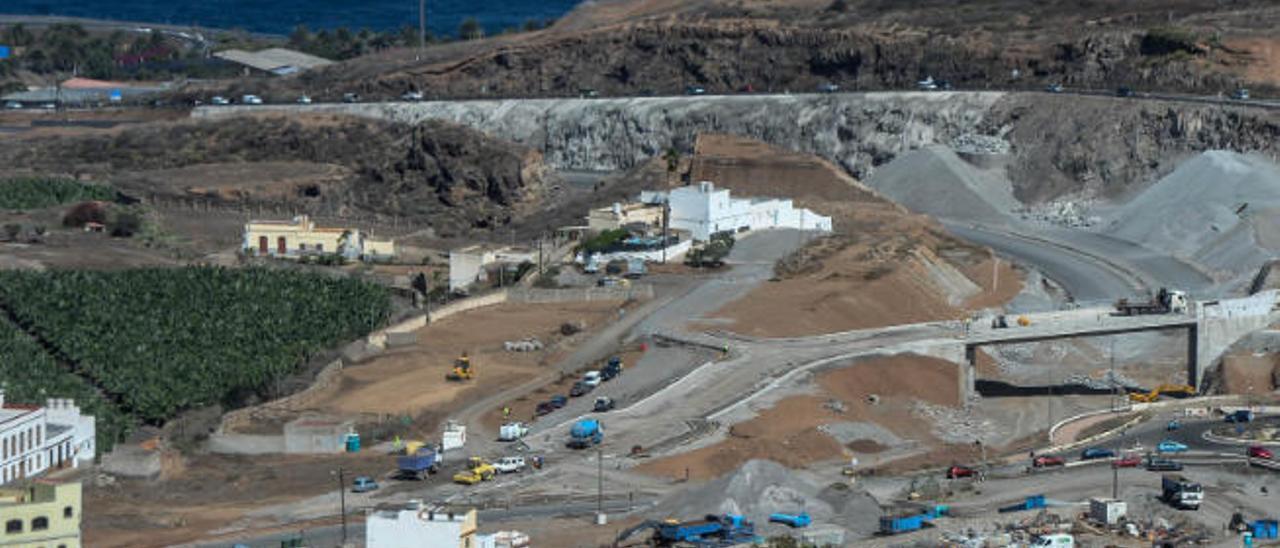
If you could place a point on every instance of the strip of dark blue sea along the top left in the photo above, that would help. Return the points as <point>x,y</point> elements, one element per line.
<point>280,17</point>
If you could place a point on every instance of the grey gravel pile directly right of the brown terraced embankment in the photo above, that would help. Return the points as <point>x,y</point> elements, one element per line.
<point>938,182</point>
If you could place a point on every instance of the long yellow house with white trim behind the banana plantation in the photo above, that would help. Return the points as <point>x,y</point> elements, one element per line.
<point>300,238</point>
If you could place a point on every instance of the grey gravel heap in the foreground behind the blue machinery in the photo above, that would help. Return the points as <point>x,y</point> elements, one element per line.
<point>761,488</point>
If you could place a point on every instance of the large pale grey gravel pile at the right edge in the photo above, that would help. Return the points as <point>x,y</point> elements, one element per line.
<point>1218,211</point>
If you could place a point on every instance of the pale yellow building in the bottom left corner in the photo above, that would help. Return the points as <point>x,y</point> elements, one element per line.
<point>42,515</point>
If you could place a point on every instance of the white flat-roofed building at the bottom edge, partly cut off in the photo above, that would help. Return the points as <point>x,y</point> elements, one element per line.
<point>414,526</point>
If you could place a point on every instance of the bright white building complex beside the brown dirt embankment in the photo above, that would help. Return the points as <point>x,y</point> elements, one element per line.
<point>705,211</point>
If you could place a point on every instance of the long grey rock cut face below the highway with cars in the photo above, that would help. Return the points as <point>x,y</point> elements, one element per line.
<point>1059,145</point>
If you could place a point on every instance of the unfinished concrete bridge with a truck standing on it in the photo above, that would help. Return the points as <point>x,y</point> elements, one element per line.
<point>1212,328</point>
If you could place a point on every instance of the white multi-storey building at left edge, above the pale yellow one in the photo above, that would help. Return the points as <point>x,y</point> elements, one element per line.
<point>35,440</point>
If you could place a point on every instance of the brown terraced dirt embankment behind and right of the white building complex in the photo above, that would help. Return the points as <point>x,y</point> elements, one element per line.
<point>883,267</point>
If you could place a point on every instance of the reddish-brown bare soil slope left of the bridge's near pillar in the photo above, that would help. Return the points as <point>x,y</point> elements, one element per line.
<point>883,392</point>
